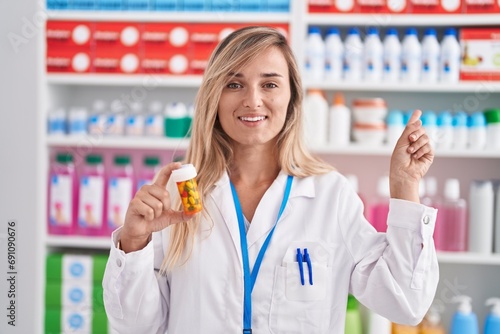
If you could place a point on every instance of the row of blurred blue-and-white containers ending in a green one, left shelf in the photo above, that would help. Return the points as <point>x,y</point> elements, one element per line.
<point>172,120</point>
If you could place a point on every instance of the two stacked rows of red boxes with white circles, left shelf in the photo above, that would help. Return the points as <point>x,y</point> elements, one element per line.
<point>134,47</point>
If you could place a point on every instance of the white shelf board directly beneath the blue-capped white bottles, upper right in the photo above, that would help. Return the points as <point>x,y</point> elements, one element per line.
<point>460,87</point>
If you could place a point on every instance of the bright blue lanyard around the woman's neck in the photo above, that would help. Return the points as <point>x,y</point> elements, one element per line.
<point>251,277</point>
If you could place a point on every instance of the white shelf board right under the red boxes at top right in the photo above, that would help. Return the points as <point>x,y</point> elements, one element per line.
<point>390,20</point>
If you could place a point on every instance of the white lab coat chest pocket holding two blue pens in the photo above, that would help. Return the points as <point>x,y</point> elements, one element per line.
<point>297,308</point>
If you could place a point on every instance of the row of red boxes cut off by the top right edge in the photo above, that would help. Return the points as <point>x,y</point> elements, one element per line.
<point>404,7</point>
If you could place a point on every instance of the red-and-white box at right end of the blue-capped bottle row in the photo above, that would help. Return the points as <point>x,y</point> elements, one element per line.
<point>480,54</point>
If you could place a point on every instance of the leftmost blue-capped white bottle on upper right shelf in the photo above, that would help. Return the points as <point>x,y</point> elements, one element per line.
<point>315,55</point>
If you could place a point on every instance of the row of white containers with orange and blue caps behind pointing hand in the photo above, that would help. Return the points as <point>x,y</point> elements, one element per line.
<point>370,122</point>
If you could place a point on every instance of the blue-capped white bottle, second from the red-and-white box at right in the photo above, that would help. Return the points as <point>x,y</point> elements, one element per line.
<point>430,56</point>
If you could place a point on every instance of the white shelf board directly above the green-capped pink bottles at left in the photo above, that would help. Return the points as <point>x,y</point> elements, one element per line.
<point>100,141</point>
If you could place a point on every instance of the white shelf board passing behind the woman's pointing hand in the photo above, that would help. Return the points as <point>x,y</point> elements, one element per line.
<point>383,150</point>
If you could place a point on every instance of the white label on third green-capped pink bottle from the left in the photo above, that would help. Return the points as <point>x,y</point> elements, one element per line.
<point>119,197</point>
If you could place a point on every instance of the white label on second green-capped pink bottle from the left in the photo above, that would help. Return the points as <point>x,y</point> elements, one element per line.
<point>91,201</point>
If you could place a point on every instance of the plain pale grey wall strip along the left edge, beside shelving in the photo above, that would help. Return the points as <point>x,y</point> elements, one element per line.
<point>18,171</point>
